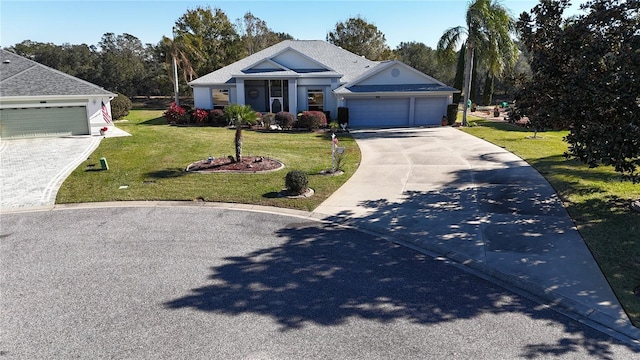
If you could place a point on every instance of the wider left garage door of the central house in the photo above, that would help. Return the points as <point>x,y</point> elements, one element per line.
<point>374,112</point>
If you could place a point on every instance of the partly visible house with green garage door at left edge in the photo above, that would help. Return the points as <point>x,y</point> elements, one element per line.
<point>36,101</point>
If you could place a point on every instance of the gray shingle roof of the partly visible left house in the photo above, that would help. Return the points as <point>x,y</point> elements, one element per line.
<point>20,76</point>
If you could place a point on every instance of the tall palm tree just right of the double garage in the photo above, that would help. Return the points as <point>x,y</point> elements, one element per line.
<point>488,35</point>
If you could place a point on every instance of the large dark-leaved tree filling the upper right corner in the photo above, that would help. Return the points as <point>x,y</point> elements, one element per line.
<point>586,75</point>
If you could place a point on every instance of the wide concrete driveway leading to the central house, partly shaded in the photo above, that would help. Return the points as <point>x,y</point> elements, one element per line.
<point>473,202</point>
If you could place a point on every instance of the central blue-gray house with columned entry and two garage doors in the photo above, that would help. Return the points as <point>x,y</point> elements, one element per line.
<point>298,75</point>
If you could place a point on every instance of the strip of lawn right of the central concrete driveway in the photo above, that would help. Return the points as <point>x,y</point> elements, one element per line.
<point>597,200</point>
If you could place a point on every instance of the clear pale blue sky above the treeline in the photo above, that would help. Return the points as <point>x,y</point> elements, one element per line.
<point>84,22</point>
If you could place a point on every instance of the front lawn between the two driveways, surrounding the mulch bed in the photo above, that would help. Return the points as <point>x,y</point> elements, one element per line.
<point>151,164</point>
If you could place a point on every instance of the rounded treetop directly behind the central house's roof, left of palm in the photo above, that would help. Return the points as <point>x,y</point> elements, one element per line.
<point>361,38</point>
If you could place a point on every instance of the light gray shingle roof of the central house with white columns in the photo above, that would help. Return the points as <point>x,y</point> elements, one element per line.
<point>337,60</point>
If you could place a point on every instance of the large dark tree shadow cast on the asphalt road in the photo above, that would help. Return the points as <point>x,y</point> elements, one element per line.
<point>326,275</point>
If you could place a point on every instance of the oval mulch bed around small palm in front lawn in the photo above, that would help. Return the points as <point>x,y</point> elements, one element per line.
<point>249,164</point>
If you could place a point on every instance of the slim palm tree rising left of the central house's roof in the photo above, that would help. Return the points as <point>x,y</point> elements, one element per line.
<point>178,50</point>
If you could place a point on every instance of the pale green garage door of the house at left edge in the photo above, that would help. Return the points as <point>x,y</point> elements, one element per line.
<point>45,121</point>
